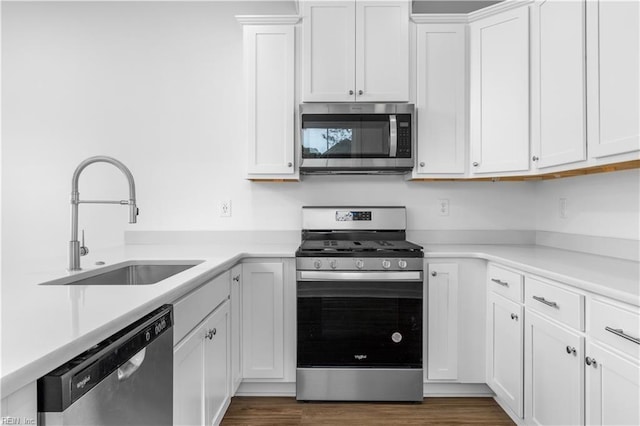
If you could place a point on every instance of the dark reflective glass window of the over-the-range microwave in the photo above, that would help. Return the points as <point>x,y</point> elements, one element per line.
<point>345,136</point>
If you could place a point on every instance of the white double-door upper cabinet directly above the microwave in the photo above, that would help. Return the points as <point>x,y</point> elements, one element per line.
<point>355,51</point>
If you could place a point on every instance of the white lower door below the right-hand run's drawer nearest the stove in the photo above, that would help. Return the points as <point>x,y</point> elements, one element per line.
<point>505,369</point>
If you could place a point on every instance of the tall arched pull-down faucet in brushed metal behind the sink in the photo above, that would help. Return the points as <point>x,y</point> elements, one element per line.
<point>75,249</point>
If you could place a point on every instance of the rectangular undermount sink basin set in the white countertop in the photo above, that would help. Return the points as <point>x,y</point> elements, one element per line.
<point>133,272</point>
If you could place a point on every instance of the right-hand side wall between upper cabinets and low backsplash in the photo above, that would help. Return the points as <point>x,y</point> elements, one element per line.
<point>603,205</point>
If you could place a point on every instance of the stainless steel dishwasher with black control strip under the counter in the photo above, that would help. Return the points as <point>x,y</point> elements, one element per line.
<point>126,379</point>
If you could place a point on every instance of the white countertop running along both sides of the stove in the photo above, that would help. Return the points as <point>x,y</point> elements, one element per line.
<point>44,326</point>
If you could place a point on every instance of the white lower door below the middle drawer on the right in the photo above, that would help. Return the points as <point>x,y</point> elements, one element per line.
<point>554,373</point>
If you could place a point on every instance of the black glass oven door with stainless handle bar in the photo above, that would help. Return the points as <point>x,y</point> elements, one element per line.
<point>359,319</point>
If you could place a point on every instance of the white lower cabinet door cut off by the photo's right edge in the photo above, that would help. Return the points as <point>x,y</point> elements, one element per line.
<point>612,388</point>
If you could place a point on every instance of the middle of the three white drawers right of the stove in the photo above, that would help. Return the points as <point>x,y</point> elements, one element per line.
<point>560,304</point>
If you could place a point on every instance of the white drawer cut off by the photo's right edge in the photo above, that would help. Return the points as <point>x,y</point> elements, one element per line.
<point>615,326</point>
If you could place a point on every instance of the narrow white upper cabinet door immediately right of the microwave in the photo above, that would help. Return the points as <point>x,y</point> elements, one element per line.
<point>441,99</point>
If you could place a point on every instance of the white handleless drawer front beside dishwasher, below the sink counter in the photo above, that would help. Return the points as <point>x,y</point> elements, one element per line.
<point>191,309</point>
